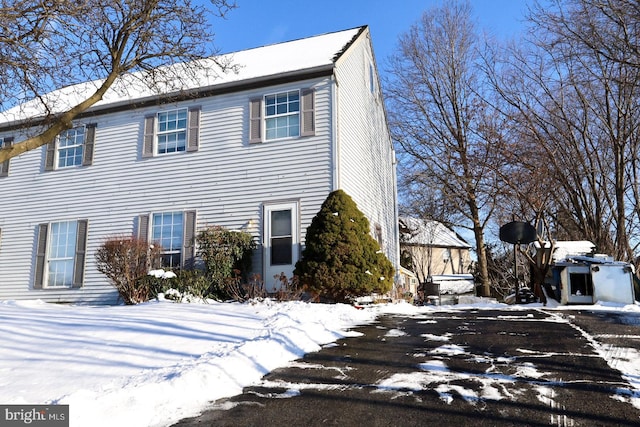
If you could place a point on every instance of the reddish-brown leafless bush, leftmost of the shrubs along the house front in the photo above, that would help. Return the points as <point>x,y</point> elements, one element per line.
<point>125,261</point>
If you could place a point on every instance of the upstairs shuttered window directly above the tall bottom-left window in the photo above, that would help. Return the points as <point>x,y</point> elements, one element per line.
<point>72,148</point>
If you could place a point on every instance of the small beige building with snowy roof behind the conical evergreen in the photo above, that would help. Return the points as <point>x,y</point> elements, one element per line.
<point>433,249</point>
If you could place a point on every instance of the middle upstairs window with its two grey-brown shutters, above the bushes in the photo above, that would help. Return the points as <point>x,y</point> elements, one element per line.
<point>171,131</point>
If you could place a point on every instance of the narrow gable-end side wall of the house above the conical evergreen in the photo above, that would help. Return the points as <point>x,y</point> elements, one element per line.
<point>365,156</point>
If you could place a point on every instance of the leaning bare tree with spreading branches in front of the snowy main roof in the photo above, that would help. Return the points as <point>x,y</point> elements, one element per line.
<point>47,45</point>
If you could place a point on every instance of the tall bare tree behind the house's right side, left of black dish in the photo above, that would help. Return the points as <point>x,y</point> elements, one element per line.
<point>440,120</point>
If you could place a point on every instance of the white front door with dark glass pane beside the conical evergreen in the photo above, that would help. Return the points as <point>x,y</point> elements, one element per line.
<point>281,243</point>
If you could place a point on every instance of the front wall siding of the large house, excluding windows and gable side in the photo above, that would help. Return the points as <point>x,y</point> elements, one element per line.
<point>227,182</point>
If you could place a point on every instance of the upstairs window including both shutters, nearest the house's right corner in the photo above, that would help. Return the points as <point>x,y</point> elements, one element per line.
<point>282,115</point>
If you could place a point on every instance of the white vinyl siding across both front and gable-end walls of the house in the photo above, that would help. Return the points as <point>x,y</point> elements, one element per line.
<point>225,177</point>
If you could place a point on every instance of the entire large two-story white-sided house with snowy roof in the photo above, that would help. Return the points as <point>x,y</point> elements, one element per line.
<point>255,149</point>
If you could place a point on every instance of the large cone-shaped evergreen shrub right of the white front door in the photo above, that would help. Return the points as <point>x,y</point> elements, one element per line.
<point>341,259</point>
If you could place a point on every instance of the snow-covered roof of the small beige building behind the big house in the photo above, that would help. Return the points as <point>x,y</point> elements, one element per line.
<point>428,232</point>
